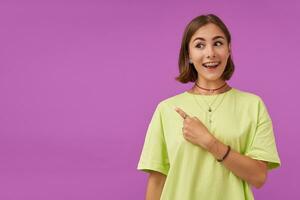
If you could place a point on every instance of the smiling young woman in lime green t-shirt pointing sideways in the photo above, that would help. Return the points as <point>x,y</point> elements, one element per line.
<point>213,141</point>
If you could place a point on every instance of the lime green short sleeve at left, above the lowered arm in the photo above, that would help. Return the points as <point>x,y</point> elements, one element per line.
<point>154,154</point>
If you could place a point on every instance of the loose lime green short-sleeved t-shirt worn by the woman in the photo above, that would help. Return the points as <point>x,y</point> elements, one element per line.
<point>237,118</point>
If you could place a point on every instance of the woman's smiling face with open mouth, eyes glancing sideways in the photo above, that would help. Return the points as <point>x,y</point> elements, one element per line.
<point>209,52</point>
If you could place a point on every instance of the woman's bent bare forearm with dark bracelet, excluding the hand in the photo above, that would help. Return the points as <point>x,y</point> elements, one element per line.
<point>251,170</point>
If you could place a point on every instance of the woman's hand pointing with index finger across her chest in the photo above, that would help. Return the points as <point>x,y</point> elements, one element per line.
<point>194,130</point>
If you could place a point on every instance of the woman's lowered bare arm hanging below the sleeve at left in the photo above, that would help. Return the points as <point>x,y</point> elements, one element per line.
<point>155,185</point>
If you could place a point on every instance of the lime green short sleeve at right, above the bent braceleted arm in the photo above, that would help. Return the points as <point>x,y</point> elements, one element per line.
<point>263,145</point>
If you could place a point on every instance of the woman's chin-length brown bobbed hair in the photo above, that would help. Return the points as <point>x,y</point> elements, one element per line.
<point>187,71</point>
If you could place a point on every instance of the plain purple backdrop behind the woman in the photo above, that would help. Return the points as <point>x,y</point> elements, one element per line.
<point>79,81</point>
